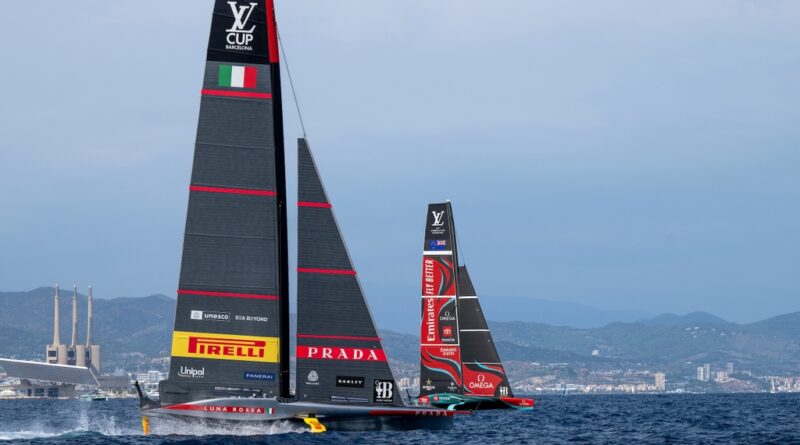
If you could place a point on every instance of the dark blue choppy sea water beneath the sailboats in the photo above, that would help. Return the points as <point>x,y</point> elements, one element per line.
<point>615,419</point>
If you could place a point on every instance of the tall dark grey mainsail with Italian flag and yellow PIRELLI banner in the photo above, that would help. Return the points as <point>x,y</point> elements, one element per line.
<point>232,309</point>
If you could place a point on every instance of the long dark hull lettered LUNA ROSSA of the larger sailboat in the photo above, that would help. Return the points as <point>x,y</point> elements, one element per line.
<point>266,411</point>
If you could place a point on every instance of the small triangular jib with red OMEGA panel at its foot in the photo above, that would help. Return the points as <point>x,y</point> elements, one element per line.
<point>482,371</point>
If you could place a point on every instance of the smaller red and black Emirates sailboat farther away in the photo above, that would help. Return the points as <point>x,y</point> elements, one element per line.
<point>459,364</point>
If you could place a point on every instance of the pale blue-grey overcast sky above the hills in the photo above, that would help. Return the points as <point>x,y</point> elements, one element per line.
<point>619,154</point>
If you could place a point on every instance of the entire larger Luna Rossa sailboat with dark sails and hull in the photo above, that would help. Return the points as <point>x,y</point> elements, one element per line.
<point>230,344</point>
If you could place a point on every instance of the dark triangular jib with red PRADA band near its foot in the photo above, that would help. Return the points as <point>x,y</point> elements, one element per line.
<point>340,357</point>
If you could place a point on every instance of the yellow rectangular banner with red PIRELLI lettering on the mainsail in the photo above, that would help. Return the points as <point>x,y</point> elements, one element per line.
<point>225,347</point>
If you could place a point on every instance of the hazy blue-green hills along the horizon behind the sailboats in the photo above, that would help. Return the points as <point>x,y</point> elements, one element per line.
<point>131,330</point>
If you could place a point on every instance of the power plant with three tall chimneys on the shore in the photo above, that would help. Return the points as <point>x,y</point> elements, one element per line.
<point>74,354</point>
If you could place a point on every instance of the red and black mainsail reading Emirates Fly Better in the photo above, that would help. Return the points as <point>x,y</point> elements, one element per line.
<point>440,350</point>
